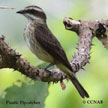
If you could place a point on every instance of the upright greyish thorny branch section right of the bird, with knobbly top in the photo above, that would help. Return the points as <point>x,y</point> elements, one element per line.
<point>86,30</point>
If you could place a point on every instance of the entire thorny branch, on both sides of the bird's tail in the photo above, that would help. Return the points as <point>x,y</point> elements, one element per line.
<point>86,30</point>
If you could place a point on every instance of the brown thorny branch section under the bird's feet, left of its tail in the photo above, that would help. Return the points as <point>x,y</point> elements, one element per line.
<point>9,58</point>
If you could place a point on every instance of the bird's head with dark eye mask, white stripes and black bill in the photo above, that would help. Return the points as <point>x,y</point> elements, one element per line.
<point>33,13</point>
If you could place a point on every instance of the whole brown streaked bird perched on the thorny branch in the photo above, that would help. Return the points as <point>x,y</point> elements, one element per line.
<point>44,44</point>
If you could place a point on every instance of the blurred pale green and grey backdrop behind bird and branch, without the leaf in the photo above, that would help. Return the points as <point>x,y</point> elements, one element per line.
<point>95,76</point>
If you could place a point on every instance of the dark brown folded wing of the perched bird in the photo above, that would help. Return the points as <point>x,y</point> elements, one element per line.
<point>49,42</point>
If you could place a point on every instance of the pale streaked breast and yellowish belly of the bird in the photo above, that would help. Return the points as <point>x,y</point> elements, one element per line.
<point>35,47</point>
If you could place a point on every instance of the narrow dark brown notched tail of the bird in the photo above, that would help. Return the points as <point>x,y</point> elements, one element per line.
<point>78,86</point>
